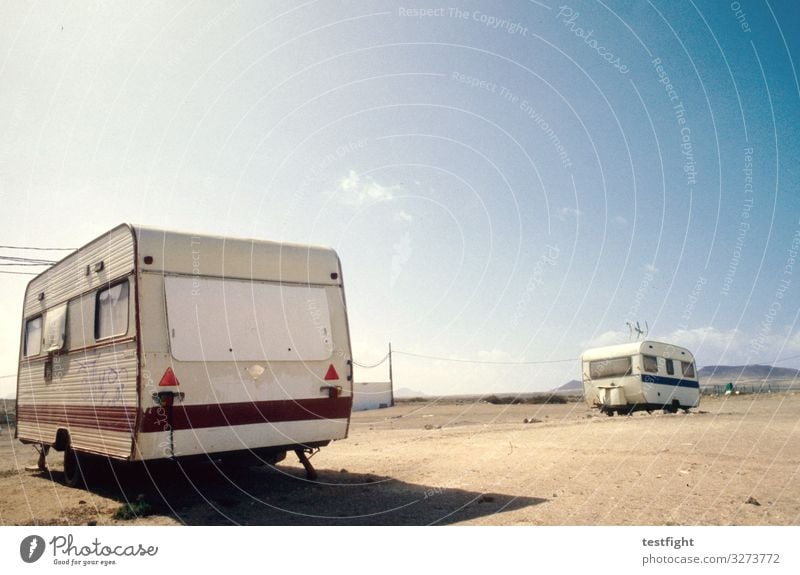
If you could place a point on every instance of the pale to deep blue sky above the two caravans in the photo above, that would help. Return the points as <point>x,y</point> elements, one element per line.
<point>504,182</point>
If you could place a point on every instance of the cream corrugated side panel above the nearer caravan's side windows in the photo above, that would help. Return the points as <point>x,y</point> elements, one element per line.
<point>67,279</point>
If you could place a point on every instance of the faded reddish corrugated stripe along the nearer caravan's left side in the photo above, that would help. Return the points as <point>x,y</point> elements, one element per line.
<point>105,418</point>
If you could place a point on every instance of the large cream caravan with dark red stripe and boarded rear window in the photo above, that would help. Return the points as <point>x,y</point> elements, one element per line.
<point>148,344</point>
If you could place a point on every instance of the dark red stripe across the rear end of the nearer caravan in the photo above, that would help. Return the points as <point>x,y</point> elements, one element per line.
<point>226,414</point>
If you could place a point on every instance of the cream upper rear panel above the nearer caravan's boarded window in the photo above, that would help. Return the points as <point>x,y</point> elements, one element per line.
<point>175,252</point>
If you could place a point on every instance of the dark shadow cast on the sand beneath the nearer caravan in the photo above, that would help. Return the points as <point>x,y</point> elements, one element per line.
<point>210,494</point>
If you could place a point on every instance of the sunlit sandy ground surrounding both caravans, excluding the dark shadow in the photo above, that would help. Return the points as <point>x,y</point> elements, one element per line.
<point>734,461</point>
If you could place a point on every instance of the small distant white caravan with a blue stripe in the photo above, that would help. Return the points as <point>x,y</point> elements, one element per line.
<point>640,375</point>
